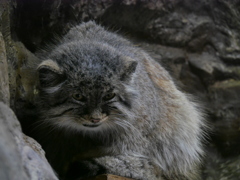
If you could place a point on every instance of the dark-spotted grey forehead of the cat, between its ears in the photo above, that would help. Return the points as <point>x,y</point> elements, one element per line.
<point>94,65</point>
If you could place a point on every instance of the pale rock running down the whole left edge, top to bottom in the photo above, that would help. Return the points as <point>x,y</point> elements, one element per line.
<point>21,157</point>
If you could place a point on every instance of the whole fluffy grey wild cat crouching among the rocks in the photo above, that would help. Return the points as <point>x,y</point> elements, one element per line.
<point>150,129</point>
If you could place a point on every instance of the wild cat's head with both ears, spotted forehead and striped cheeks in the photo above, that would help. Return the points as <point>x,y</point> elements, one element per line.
<point>86,94</point>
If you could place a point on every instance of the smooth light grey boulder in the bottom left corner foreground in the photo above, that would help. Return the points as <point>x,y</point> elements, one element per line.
<point>21,157</point>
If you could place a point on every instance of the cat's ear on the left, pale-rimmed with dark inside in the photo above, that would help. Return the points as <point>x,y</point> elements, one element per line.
<point>50,74</point>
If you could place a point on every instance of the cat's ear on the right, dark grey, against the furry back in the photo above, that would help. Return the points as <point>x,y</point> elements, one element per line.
<point>129,68</point>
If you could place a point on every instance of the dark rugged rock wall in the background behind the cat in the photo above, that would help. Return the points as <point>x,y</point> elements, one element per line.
<point>197,41</point>
